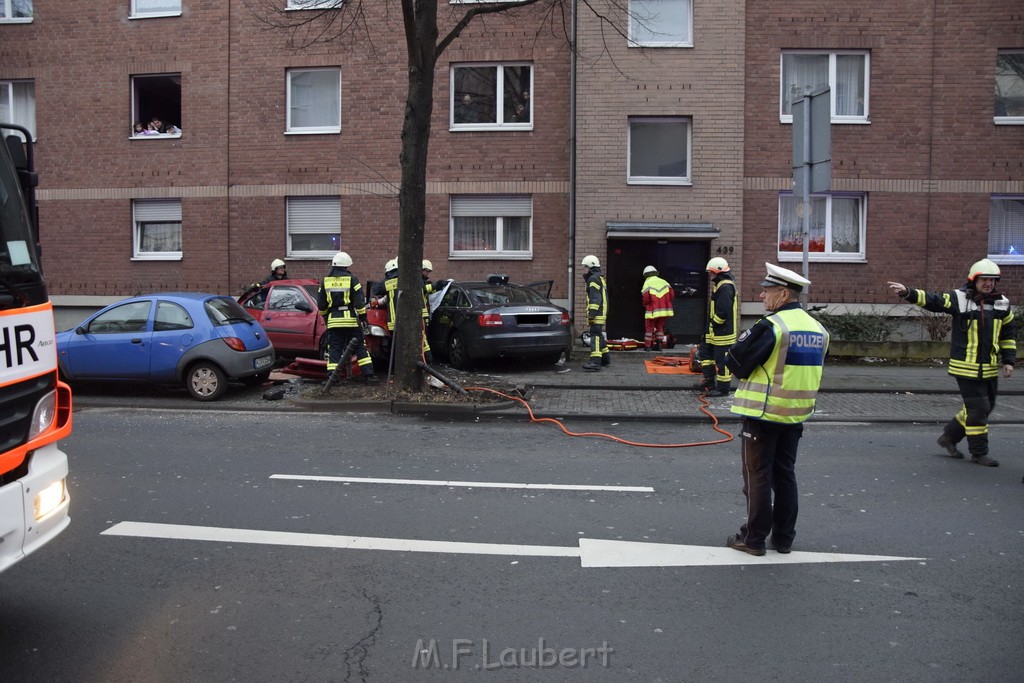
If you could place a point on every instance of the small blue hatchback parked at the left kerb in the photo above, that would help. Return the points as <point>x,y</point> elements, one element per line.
<point>201,340</point>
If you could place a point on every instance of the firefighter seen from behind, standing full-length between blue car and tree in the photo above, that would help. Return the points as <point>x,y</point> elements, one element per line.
<point>340,301</point>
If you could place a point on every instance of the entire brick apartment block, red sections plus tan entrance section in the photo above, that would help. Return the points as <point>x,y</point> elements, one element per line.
<point>682,134</point>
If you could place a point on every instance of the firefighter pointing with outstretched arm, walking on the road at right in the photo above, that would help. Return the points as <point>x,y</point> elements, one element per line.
<point>983,340</point>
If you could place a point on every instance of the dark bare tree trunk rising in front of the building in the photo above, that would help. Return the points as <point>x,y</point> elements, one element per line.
<point>421,37</point>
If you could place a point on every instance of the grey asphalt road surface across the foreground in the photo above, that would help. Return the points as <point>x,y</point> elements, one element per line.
<point>99,606</point>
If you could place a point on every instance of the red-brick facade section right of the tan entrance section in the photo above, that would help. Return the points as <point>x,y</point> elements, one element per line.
<point>928,161</point>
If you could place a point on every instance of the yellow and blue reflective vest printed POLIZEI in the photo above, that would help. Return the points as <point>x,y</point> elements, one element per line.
<point>785,387</point>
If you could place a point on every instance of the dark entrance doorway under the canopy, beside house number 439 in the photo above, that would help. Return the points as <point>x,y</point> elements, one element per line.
<point>682,264</point>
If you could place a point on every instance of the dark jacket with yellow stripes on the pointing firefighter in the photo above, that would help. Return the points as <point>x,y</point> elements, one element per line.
<point>983,336</point>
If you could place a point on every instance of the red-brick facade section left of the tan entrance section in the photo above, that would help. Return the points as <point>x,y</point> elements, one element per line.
<point>282,153</point>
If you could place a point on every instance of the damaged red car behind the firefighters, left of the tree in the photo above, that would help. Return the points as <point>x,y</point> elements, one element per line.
<point>287,311</point>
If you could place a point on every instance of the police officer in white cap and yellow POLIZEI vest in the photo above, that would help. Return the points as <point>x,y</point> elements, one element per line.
<point>779,362</point>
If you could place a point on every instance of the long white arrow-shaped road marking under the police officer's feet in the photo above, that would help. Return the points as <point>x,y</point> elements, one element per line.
<point>592,552</point>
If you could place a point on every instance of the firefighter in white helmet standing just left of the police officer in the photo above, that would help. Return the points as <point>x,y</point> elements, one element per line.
<point>723,319</point>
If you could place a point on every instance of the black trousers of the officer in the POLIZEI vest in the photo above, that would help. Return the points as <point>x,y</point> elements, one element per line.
<point>770,467</point>
